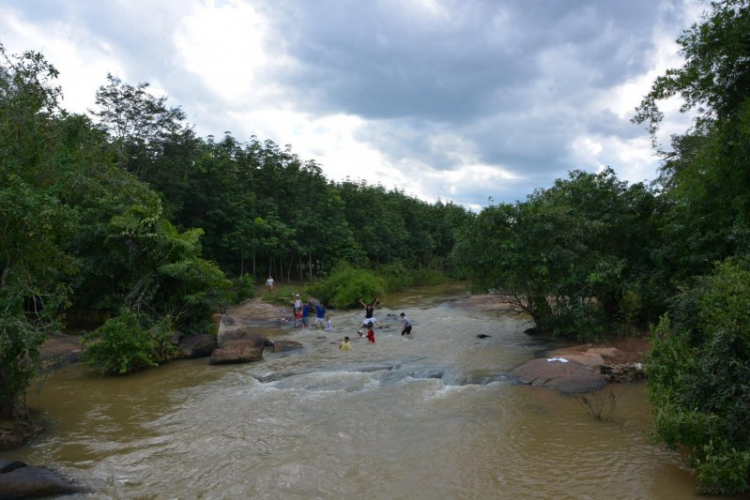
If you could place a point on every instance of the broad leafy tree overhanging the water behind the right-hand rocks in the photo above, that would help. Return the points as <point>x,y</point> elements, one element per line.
<point>574,257</point>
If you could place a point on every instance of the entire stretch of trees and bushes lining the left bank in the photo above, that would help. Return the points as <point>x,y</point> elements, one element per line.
<point>126,214</point>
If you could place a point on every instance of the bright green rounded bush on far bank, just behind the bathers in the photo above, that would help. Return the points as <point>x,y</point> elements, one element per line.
<point>346,286</point>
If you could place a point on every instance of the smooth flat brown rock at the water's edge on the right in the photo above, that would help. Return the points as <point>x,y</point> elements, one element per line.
<point>571,377</point>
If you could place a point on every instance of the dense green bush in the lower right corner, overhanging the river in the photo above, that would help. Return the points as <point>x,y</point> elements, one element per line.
<point>699,377</point>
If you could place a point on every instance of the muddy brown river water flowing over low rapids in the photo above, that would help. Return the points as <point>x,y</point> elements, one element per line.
<point>433,416</point>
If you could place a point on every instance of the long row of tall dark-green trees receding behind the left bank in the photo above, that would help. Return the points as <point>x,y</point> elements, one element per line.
<point>263,209</point>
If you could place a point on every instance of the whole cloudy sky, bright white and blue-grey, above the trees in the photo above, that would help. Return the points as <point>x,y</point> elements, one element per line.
<point>469,101</point>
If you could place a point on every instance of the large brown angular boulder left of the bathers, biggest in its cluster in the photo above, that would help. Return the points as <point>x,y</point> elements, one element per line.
<point>236,343</point>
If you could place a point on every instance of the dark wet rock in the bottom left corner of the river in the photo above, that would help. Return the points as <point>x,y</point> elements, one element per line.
<point>35,482</point>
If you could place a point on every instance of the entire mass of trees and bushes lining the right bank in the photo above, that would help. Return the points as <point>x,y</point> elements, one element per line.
<point>592,255</point>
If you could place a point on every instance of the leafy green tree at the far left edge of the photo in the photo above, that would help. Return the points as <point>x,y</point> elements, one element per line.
<point>33,222</point>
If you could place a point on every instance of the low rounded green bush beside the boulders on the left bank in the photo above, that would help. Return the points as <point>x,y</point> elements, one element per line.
<point>127,343</point>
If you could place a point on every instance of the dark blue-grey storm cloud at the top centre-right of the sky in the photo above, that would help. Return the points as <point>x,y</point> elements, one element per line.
<point>390,60</point>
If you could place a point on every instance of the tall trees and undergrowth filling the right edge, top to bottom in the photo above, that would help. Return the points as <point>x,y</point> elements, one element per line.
<point>699,364</point>
